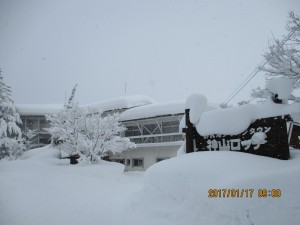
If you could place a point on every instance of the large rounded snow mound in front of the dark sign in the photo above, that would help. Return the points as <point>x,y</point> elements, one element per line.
<point>176,190</point>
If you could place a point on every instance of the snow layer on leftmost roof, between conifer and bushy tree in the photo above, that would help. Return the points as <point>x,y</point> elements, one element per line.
<point>38,109</point>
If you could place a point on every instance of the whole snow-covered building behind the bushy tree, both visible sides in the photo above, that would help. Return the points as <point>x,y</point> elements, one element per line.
<point>153,127</point>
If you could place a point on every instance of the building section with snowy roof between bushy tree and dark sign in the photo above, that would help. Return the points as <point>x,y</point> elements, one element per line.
<point>154,128</point>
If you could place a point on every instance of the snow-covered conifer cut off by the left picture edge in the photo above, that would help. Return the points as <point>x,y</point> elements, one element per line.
<point>11,142</point>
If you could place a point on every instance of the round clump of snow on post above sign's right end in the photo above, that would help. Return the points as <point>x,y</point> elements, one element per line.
<point>282,86</point>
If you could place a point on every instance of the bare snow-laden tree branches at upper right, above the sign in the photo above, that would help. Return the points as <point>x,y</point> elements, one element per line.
<point>282,60</point>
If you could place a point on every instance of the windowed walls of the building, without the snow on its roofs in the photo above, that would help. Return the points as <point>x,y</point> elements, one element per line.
<point>156,138</point>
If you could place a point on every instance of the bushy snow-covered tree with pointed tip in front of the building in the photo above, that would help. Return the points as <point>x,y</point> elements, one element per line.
<point>84,132</point>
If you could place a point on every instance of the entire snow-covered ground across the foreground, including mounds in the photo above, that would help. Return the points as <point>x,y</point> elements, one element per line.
<point>42,189</point>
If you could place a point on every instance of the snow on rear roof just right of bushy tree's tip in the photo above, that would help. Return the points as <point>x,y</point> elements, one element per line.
<point>124,102</point>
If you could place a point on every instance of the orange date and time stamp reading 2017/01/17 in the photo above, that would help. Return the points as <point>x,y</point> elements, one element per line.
<point>243,193</point>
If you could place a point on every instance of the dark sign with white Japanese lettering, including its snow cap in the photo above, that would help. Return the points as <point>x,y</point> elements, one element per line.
<point>232,129</point>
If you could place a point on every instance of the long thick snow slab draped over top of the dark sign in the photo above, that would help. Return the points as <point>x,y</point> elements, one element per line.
<point>235,120</point>
